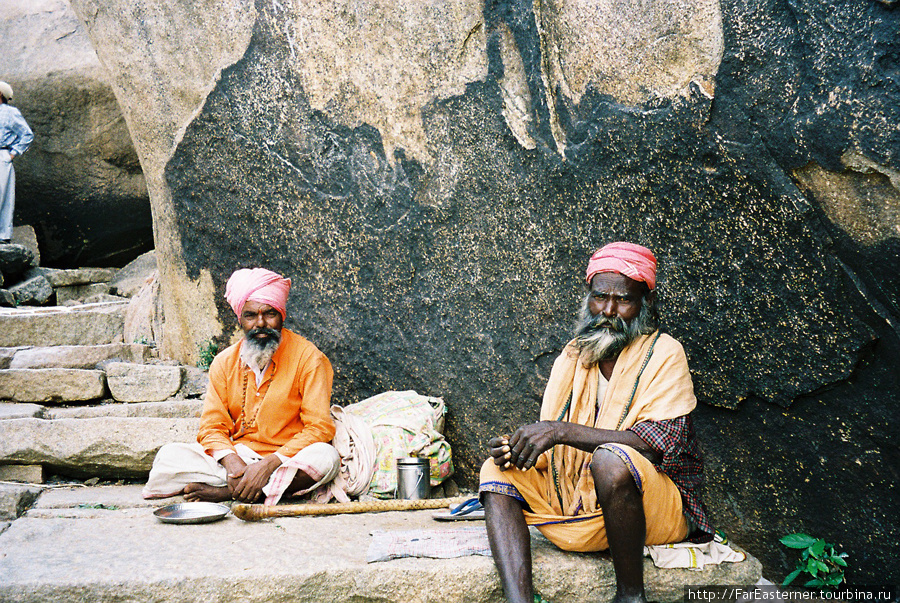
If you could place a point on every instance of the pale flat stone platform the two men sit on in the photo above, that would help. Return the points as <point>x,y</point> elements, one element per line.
<point>103,544</point>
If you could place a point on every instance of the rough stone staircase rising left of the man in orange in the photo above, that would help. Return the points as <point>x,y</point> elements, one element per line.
<point>76,399</point>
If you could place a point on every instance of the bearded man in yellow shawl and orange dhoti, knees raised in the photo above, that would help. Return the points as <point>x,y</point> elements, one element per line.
<point>613,462</point>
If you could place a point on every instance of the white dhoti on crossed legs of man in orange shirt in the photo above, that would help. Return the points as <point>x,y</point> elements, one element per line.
<point>177,465</point>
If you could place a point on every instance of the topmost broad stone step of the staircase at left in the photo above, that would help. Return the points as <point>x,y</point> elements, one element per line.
<point>88,324</point>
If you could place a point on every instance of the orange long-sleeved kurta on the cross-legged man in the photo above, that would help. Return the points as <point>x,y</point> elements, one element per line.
<point>291,406</point>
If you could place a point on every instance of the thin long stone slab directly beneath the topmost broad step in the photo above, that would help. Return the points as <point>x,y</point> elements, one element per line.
<point>75,356</point>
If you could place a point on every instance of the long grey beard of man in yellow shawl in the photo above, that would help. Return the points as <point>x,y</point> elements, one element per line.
<point>601,338</point>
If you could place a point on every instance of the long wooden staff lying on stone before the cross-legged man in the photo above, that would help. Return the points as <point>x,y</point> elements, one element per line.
<point>257,512</point>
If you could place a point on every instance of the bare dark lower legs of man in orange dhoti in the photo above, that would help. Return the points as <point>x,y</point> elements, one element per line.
<point>623,512</point>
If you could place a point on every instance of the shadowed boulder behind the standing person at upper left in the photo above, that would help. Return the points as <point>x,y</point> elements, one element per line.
<point>80,185</point>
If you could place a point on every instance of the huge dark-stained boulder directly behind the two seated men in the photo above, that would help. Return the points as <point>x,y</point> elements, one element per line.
<point>434,179</point>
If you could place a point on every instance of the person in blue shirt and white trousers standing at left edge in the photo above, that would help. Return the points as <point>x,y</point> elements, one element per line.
<point>15,138</point>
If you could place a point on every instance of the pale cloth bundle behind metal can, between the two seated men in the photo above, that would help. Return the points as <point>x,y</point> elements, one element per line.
<point>372,434</point>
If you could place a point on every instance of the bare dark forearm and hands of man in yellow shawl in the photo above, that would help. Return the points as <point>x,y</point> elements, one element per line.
<point>529,441</point>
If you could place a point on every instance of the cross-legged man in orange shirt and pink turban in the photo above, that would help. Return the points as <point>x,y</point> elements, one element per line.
<point>266,422</point>
